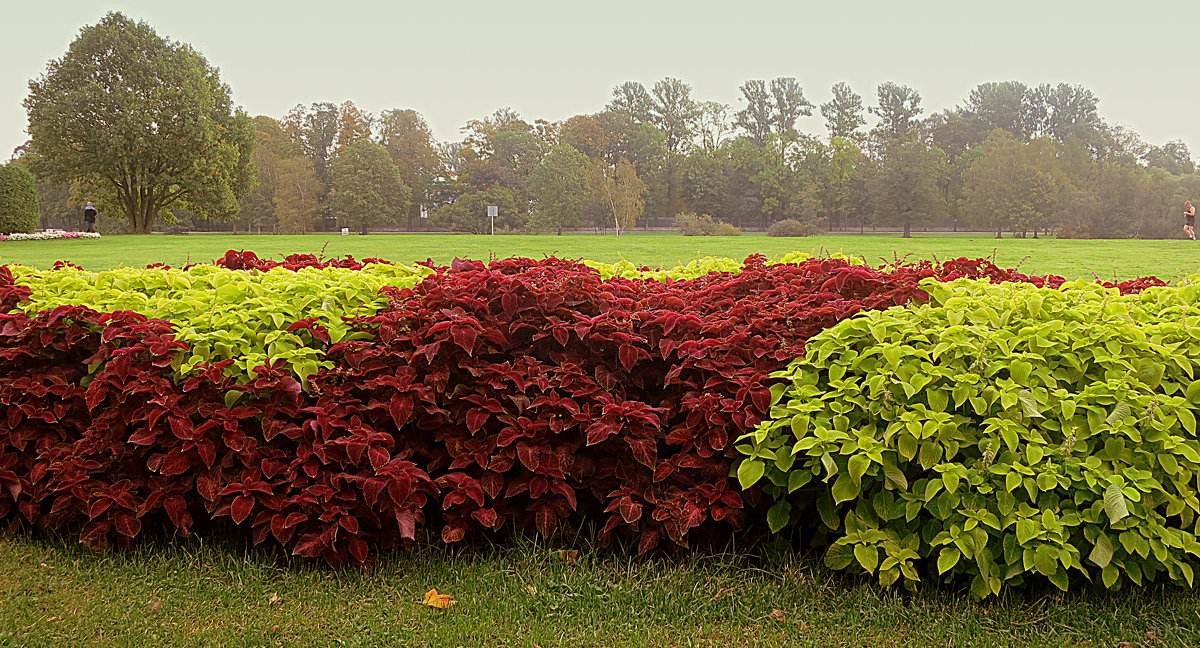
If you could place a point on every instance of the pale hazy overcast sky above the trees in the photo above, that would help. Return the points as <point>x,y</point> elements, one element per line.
<point>454,62</point>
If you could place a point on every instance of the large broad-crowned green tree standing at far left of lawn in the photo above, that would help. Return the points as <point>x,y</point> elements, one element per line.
<point>142,123</point>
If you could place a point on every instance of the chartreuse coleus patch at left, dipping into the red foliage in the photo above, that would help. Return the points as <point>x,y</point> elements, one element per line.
<point>231,315</point>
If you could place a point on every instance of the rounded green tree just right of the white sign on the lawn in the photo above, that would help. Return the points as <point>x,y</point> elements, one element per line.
<point>560,188</point>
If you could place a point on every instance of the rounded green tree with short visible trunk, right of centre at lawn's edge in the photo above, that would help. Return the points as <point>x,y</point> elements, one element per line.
<point>905,191</point>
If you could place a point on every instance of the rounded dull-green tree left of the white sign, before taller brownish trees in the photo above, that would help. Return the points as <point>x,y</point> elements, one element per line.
<point>365,187</point>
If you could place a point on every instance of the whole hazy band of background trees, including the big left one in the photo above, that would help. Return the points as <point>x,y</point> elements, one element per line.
<point>1010,159</point>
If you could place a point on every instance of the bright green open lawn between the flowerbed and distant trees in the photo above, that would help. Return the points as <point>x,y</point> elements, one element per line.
<point>1070,259</point>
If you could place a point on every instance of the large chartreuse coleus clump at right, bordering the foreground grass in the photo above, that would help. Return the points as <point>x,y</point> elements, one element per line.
<point>1001,434</point>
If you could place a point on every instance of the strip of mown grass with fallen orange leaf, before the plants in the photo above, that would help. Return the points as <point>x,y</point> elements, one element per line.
<point>56,595</point>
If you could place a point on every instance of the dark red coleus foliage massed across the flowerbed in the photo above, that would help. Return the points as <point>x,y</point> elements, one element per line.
<point>515,395</point>
